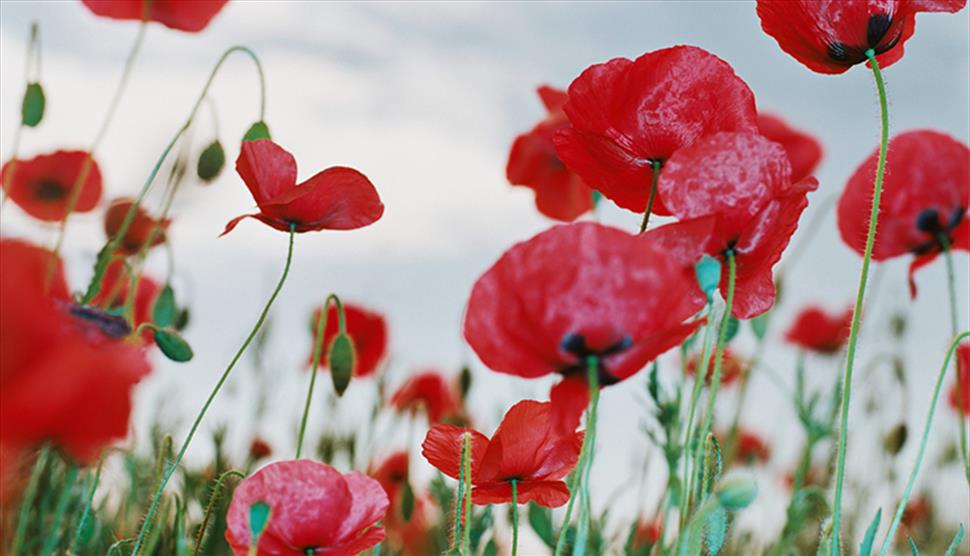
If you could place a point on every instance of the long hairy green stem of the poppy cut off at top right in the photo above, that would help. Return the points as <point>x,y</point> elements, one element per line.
<point>857,312</point>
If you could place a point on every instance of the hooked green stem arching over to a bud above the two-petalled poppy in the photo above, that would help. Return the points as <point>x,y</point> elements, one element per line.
<point>109,249</point>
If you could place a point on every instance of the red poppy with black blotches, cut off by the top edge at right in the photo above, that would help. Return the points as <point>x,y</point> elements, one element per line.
<point>831,37</point>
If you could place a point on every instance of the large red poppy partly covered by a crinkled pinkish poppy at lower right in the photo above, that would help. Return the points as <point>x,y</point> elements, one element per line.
<point>627,115</point>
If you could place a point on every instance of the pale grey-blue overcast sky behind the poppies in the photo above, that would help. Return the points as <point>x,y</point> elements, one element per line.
<point>426,99</point>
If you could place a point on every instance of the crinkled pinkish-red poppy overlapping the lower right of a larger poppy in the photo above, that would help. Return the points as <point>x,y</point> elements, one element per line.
<point>733,193</point>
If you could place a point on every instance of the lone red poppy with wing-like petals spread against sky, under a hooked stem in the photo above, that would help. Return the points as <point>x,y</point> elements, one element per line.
<point>337,198</point>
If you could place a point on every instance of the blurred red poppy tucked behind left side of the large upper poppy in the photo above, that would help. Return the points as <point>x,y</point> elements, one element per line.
<point>533,163</point>
